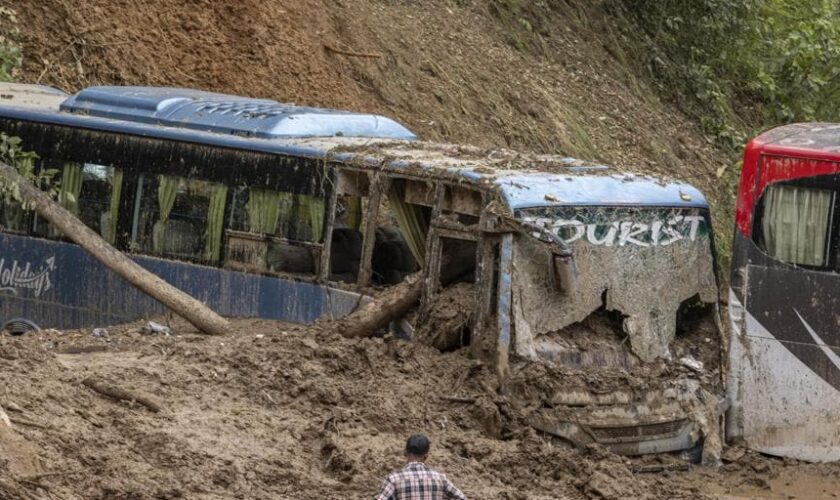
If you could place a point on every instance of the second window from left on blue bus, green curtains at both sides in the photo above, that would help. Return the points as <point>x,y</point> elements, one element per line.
<point>179,218</point>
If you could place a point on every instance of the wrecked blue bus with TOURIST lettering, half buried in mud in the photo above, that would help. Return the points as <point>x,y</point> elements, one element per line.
<point>262,209</point>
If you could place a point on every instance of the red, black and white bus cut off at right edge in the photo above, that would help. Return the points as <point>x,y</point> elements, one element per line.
<point>784,354</point>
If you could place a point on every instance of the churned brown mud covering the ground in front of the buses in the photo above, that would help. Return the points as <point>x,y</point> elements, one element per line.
<point>279,411</point>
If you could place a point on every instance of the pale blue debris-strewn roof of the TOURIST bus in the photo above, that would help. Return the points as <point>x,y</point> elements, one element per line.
<point>524,181</point>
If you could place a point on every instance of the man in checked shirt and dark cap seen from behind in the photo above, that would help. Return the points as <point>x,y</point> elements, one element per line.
<point>416,481</point>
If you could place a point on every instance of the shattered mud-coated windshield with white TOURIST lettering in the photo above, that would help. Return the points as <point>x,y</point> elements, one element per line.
<point>642,262</point>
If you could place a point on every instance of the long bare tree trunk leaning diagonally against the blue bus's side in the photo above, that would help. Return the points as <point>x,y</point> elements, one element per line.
<point>179,302</point>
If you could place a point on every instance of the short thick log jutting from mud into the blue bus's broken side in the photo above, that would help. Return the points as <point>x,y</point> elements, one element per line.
<point>391,305</point>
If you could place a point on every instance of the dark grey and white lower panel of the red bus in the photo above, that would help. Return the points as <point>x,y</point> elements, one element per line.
<point>785,360</point>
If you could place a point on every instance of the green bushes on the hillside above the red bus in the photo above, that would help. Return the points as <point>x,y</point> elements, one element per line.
<point>738,66</point>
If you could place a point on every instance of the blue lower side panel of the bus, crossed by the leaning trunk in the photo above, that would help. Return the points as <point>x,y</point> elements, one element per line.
<point>58,285</point>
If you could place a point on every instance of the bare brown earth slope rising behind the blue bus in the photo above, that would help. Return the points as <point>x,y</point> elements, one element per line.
<point>550,78</point>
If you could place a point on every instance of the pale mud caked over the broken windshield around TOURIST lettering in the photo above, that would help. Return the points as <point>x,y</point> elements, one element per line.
<point>646,282</point>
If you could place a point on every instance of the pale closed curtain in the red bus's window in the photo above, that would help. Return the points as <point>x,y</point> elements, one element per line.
<point>795,224</point>
